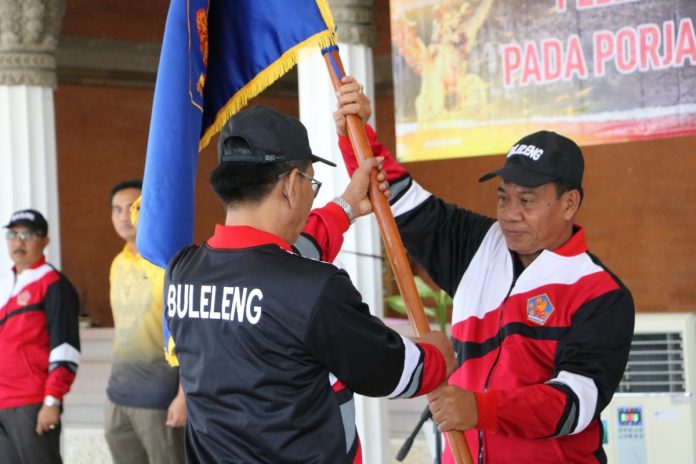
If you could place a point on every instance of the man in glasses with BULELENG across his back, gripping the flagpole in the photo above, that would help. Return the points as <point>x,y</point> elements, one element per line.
<point>271,345</point>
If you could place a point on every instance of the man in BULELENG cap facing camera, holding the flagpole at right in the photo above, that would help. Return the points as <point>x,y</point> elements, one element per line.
<point>541,327</point>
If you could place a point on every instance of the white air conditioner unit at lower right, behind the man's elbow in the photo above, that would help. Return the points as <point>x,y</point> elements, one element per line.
<point>652,417</point>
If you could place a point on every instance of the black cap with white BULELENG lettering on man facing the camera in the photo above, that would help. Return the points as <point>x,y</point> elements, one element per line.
<point>540,158</point>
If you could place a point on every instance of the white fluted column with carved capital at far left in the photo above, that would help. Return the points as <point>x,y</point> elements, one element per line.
<point>29,32</point>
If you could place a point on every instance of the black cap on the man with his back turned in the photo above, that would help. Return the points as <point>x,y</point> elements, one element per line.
<point>272,137</point>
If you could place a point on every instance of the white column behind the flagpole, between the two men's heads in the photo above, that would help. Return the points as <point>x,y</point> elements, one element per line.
<point>362,249</point>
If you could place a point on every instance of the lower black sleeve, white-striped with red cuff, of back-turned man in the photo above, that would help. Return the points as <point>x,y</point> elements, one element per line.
<point>367,356</point>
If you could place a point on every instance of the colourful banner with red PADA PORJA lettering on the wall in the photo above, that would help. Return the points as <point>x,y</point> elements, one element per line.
<point>471,78</point>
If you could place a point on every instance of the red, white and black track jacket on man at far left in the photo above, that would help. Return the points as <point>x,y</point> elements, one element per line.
<point>39,335</point>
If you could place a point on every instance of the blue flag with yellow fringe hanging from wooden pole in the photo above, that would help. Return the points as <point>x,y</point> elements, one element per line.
<point>216,55</point>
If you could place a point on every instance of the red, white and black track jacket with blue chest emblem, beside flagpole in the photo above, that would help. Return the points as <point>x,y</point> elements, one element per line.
<point>543,347</point>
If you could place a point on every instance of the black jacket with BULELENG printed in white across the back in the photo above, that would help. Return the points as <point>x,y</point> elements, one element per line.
<point>262,335</point>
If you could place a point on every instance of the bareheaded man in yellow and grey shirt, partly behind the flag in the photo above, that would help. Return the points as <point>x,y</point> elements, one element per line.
<point>145,411</point>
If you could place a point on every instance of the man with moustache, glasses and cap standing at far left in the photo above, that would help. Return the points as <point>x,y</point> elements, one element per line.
<point>39,345</point>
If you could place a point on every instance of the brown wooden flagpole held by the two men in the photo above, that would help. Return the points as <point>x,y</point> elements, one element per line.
<point>390,235</point>
